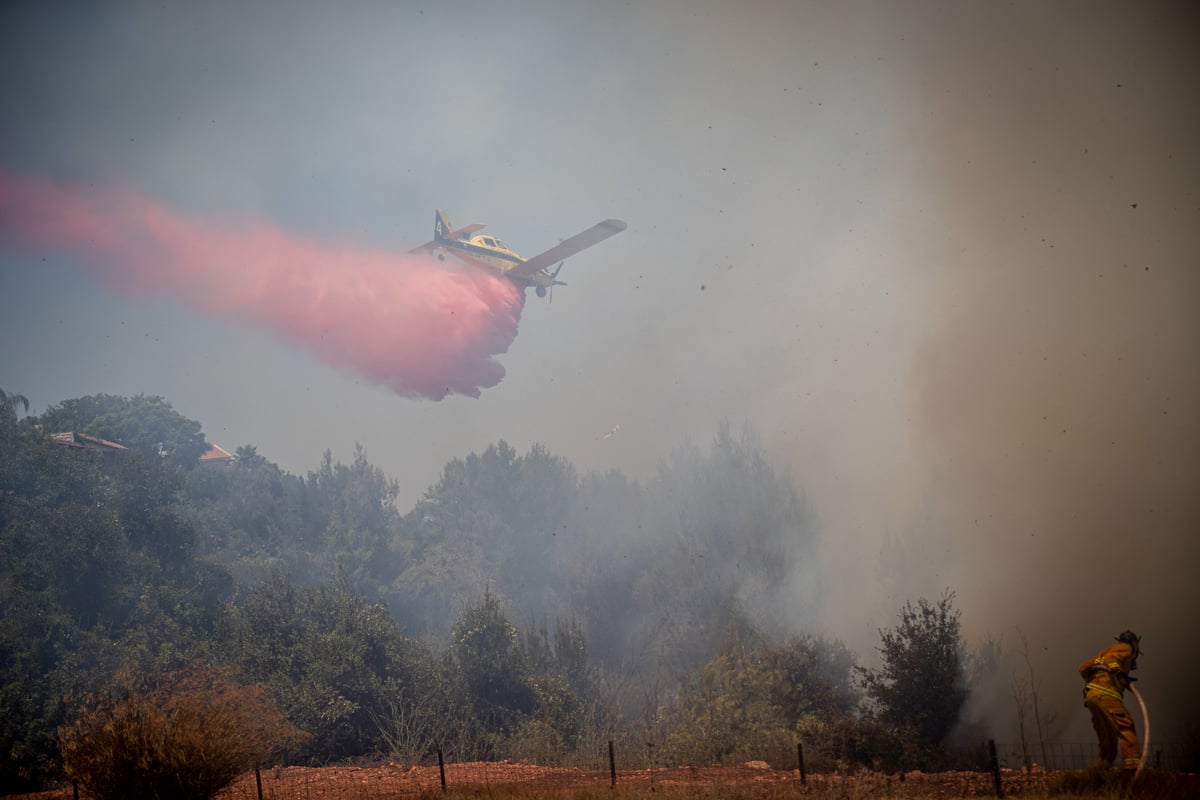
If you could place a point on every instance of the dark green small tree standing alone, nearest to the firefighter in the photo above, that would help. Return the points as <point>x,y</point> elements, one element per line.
<point>920,689</point>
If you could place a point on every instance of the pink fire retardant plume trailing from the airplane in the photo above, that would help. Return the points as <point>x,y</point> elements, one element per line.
<point>416,326</point>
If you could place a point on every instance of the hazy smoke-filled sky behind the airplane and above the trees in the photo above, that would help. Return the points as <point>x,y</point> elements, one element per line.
<point>943,257</point>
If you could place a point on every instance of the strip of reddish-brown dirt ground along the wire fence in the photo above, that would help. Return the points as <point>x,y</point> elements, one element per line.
<point>505,779</point>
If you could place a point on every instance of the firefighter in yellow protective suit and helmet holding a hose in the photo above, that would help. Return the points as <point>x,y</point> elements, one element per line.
<point>1107,678</point>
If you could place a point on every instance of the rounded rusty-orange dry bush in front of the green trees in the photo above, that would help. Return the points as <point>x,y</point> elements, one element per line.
<point>183,739</point>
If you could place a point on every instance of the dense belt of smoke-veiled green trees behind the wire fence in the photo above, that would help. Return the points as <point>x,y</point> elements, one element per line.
<point>518,611</point>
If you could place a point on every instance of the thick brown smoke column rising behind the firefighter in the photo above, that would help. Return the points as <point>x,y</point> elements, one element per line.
<point>1058,384</point>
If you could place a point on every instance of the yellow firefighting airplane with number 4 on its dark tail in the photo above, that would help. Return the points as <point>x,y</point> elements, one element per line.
<point>491,254</point>
